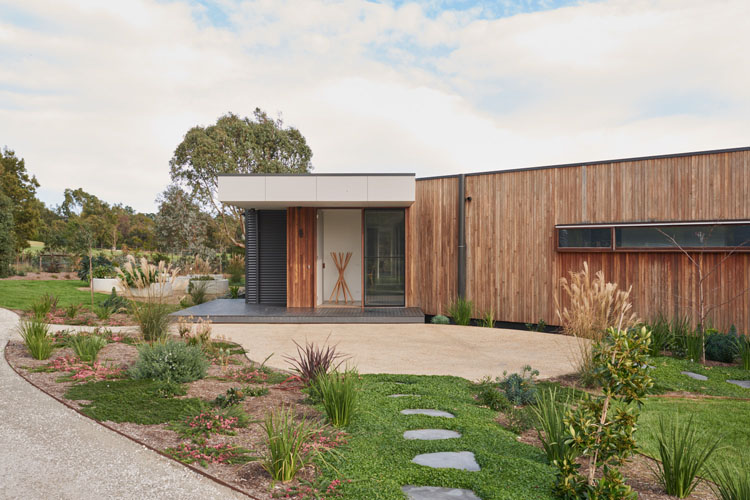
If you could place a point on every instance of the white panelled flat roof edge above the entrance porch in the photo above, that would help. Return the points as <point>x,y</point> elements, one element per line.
<point>277,191</point>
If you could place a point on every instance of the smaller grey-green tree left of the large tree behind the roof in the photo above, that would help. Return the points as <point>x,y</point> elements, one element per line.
<point>180,224</point>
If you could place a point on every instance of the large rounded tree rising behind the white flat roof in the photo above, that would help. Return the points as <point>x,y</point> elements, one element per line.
<point>236,145</point>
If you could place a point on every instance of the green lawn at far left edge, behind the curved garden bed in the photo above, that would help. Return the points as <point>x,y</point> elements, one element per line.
<point>21,294</point>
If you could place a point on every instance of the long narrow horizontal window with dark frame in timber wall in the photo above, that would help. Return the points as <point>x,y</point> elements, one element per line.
<point>726,235</point>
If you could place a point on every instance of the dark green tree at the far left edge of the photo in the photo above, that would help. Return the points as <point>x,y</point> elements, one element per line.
<point>17,185</point>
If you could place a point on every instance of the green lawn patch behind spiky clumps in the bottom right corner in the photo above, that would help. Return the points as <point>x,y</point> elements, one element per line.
<point>729,419</point>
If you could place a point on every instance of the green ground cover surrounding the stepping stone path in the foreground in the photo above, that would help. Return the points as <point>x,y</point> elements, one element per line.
<point>378,459</point>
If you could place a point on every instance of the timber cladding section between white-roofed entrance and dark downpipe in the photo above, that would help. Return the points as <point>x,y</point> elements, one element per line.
<point>432,243</point>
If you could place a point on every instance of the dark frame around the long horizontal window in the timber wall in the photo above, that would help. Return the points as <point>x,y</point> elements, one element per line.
<point>663,224</point>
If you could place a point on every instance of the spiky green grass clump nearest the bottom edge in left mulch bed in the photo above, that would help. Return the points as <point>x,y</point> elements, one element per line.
<point>285,440</point>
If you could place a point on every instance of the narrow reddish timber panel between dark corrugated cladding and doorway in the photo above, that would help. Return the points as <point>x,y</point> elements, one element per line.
<point>301,238</point>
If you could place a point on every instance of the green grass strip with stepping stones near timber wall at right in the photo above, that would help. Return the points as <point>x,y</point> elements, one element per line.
<point>667,377</point>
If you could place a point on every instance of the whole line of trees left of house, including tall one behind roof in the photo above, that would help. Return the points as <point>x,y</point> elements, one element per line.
<point>190,219</point>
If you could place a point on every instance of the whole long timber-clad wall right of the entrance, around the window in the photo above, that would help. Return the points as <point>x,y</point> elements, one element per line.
<point>514,268</point>
